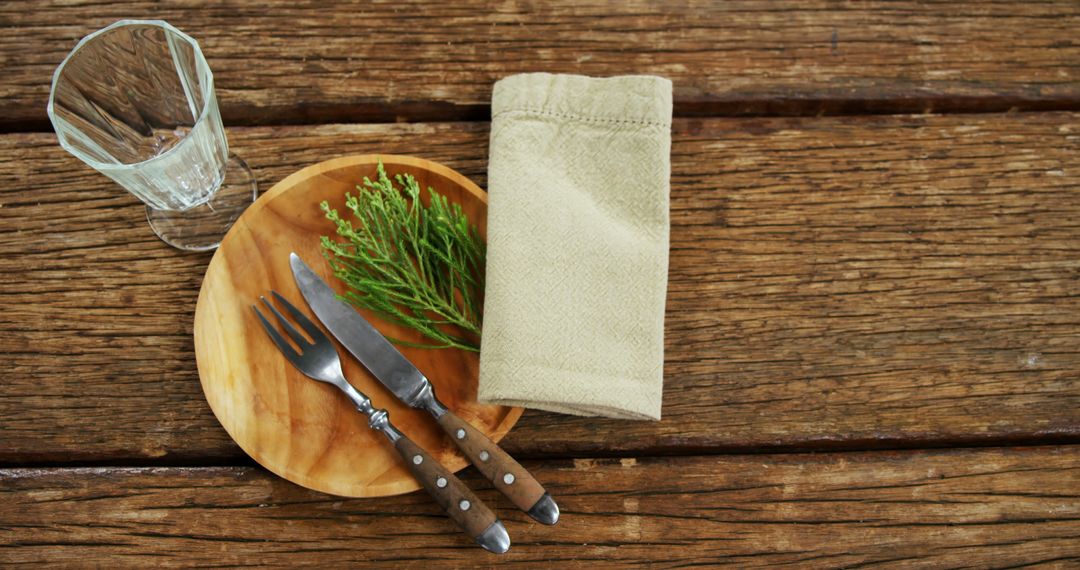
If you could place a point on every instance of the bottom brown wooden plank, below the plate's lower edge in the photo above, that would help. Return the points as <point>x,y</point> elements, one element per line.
<point>906,510</point>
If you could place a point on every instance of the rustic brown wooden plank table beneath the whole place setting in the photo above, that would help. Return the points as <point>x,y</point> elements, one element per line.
<point>873,330</point>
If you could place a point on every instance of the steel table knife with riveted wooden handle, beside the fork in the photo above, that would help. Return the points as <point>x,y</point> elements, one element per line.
<point>401,377</point>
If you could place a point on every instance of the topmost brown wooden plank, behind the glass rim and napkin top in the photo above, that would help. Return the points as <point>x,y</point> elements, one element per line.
<point>307,61</point>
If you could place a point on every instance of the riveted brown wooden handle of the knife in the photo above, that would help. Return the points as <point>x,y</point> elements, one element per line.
<point>501,469</point>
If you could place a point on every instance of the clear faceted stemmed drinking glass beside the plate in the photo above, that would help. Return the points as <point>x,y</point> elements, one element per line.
<point>136,102</point>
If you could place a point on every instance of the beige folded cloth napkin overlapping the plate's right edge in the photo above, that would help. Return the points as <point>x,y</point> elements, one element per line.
<point>577,260</point>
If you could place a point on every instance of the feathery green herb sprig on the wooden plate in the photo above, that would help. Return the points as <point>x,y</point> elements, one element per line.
<point>418,266</point>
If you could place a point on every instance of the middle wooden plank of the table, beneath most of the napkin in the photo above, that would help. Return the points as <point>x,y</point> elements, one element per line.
<point>835,283</point>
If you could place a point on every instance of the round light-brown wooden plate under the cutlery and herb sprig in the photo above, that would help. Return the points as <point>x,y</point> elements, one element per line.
<point>300,429</point>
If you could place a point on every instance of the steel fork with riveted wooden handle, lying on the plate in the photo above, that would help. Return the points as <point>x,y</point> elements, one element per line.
<point>319,360</point>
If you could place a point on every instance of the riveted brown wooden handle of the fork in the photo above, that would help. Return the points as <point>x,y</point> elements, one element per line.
<point>457,500</point>
